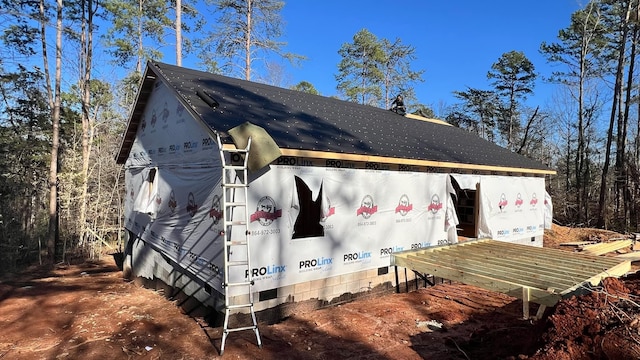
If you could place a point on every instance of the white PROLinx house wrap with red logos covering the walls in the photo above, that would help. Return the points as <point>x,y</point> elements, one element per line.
<point>306,222</point>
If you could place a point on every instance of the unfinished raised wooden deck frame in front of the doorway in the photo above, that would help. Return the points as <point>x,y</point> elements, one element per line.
<point>540,275</point>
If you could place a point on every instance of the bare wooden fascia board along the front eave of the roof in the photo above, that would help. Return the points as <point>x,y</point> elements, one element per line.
<point>413,162</point>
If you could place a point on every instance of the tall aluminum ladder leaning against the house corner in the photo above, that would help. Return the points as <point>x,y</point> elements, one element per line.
<point>231,201</point>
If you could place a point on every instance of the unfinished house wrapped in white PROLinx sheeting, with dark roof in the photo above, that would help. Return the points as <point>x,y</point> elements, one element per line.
<point>354,184</point>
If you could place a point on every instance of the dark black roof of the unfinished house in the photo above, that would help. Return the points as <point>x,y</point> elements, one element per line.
<point>302,121</point>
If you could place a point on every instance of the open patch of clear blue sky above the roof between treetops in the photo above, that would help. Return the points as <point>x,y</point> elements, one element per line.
<point>456,42</point>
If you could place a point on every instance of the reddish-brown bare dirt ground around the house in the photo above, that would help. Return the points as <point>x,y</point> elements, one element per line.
<point>88,311</point>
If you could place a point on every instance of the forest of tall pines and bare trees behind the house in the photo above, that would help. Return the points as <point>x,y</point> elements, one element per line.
<point>61,120</point>
